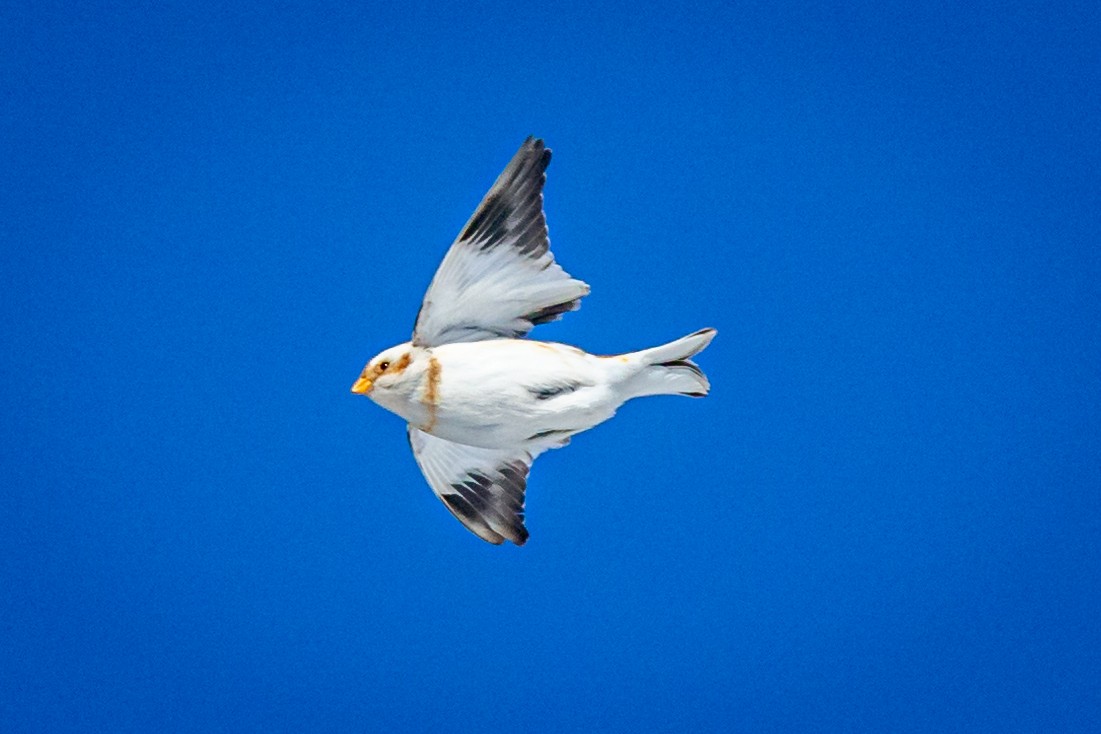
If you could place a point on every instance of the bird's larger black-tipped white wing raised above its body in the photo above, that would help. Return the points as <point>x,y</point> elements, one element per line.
<point>499,279</point>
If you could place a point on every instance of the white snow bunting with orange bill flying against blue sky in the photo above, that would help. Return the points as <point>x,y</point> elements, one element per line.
<point>482,401</point>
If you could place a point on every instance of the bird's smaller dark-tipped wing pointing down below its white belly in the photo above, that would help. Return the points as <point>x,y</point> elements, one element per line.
<point>483,488</point>
